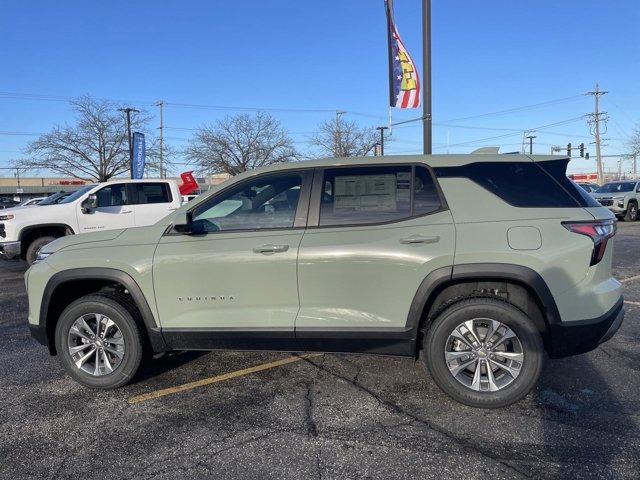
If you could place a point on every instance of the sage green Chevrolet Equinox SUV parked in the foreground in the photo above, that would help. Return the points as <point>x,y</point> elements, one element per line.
<point>481,265</point>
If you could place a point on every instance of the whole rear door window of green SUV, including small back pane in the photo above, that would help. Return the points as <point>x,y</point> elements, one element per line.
<point>370,195</point>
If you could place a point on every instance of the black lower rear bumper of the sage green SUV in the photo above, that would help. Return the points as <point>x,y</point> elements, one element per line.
<point>574,338</point>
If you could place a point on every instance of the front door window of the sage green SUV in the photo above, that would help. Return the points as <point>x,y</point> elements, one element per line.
<point>268,202</point>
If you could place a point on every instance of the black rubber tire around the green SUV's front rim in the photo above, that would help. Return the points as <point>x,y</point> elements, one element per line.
<point>122,316</point>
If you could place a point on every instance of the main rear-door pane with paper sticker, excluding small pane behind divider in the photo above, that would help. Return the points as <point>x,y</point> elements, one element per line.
<point>361,195</point>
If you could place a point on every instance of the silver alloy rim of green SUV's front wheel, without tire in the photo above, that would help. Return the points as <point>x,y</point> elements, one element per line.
<point>95,344</point>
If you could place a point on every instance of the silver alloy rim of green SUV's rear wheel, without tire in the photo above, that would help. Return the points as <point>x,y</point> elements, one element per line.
<point>484,355</point>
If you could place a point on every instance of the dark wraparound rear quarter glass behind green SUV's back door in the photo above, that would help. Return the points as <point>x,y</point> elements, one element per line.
<point>525,184</point>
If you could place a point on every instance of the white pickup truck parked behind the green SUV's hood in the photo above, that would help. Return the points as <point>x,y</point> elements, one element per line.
<point>103,206</point>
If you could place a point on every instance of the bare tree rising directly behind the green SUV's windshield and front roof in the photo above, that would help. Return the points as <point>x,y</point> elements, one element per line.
<point>239,143</point>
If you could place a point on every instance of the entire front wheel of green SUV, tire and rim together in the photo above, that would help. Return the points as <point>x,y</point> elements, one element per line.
<point>99,342</point>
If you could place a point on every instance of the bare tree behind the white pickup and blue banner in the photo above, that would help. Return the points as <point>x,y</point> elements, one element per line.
<point>95,147</point>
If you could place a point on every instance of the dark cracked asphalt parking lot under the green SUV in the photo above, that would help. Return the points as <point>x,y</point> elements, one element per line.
<point>325,416</point>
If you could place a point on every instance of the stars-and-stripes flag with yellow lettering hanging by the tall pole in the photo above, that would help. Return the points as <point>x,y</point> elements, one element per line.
<point>404,83</point>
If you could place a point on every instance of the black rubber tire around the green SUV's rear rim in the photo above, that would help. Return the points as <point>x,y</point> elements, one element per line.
<point>483,308</point>
